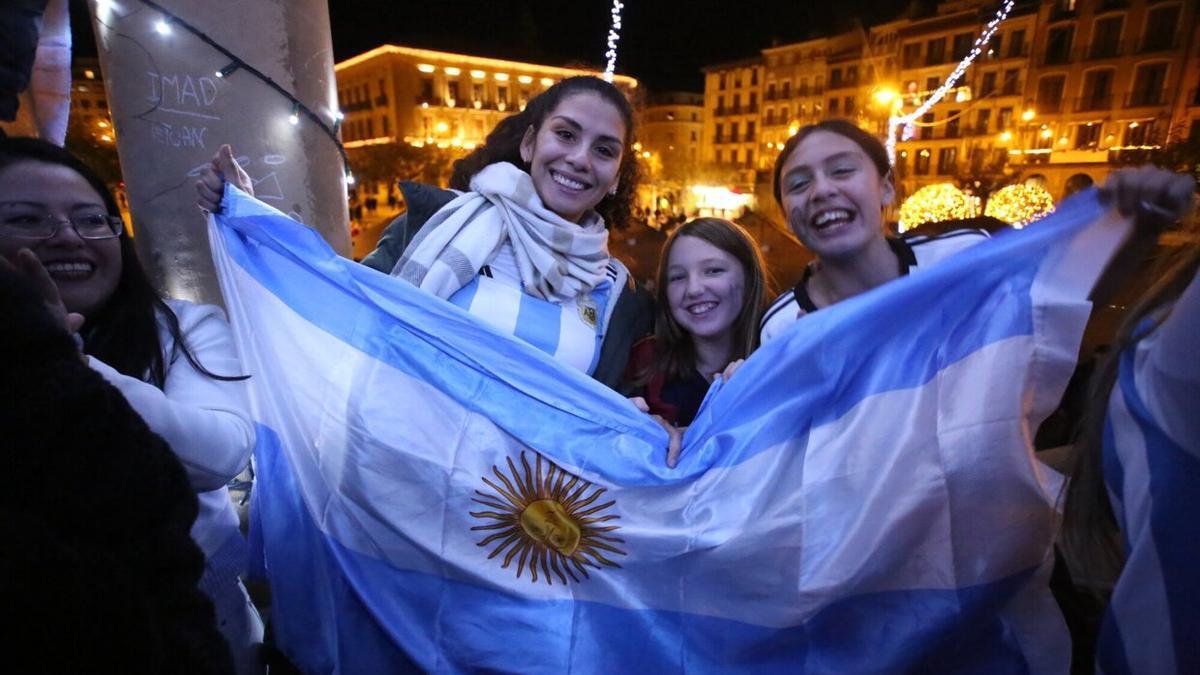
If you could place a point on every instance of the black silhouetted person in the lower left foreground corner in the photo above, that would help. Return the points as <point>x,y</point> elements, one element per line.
<point>100,572</point>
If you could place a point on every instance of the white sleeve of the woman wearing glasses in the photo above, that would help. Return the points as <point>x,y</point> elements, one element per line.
<point>206,421</point>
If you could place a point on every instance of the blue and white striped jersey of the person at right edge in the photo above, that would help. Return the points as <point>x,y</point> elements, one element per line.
<point>1153,469</point>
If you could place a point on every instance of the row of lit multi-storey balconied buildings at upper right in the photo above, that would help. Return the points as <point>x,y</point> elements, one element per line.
<point>1066,89</point>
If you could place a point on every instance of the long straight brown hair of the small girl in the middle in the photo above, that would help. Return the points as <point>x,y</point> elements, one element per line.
<point>675,354</point>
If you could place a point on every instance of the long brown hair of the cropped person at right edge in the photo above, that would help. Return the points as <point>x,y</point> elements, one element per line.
<point>1090,537</point>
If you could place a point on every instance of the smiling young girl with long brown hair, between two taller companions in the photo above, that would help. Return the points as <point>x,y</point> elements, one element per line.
<point>711,290</point>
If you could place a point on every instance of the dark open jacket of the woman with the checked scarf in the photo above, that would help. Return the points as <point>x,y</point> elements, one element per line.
<point>633,318</point>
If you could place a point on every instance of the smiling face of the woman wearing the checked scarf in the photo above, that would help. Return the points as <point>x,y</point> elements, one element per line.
<point>575,157</point>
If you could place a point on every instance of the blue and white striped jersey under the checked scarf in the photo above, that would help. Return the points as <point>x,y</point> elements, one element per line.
<point>572,332</point>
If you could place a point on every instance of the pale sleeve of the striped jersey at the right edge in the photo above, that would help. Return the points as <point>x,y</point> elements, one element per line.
<point>1168,371</point>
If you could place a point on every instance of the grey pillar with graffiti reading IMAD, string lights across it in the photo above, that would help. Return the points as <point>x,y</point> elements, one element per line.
<point>172,112</point>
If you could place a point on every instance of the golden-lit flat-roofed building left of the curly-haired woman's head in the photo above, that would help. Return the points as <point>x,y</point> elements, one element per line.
<point>421,97</point>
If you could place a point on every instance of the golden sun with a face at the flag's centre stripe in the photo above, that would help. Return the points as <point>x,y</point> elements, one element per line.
<point>548,519</point>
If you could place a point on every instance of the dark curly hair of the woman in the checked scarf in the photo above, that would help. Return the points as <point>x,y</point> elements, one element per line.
<point>503,145</point>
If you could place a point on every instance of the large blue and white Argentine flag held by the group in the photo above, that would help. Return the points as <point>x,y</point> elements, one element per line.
<point>861,498</point>
